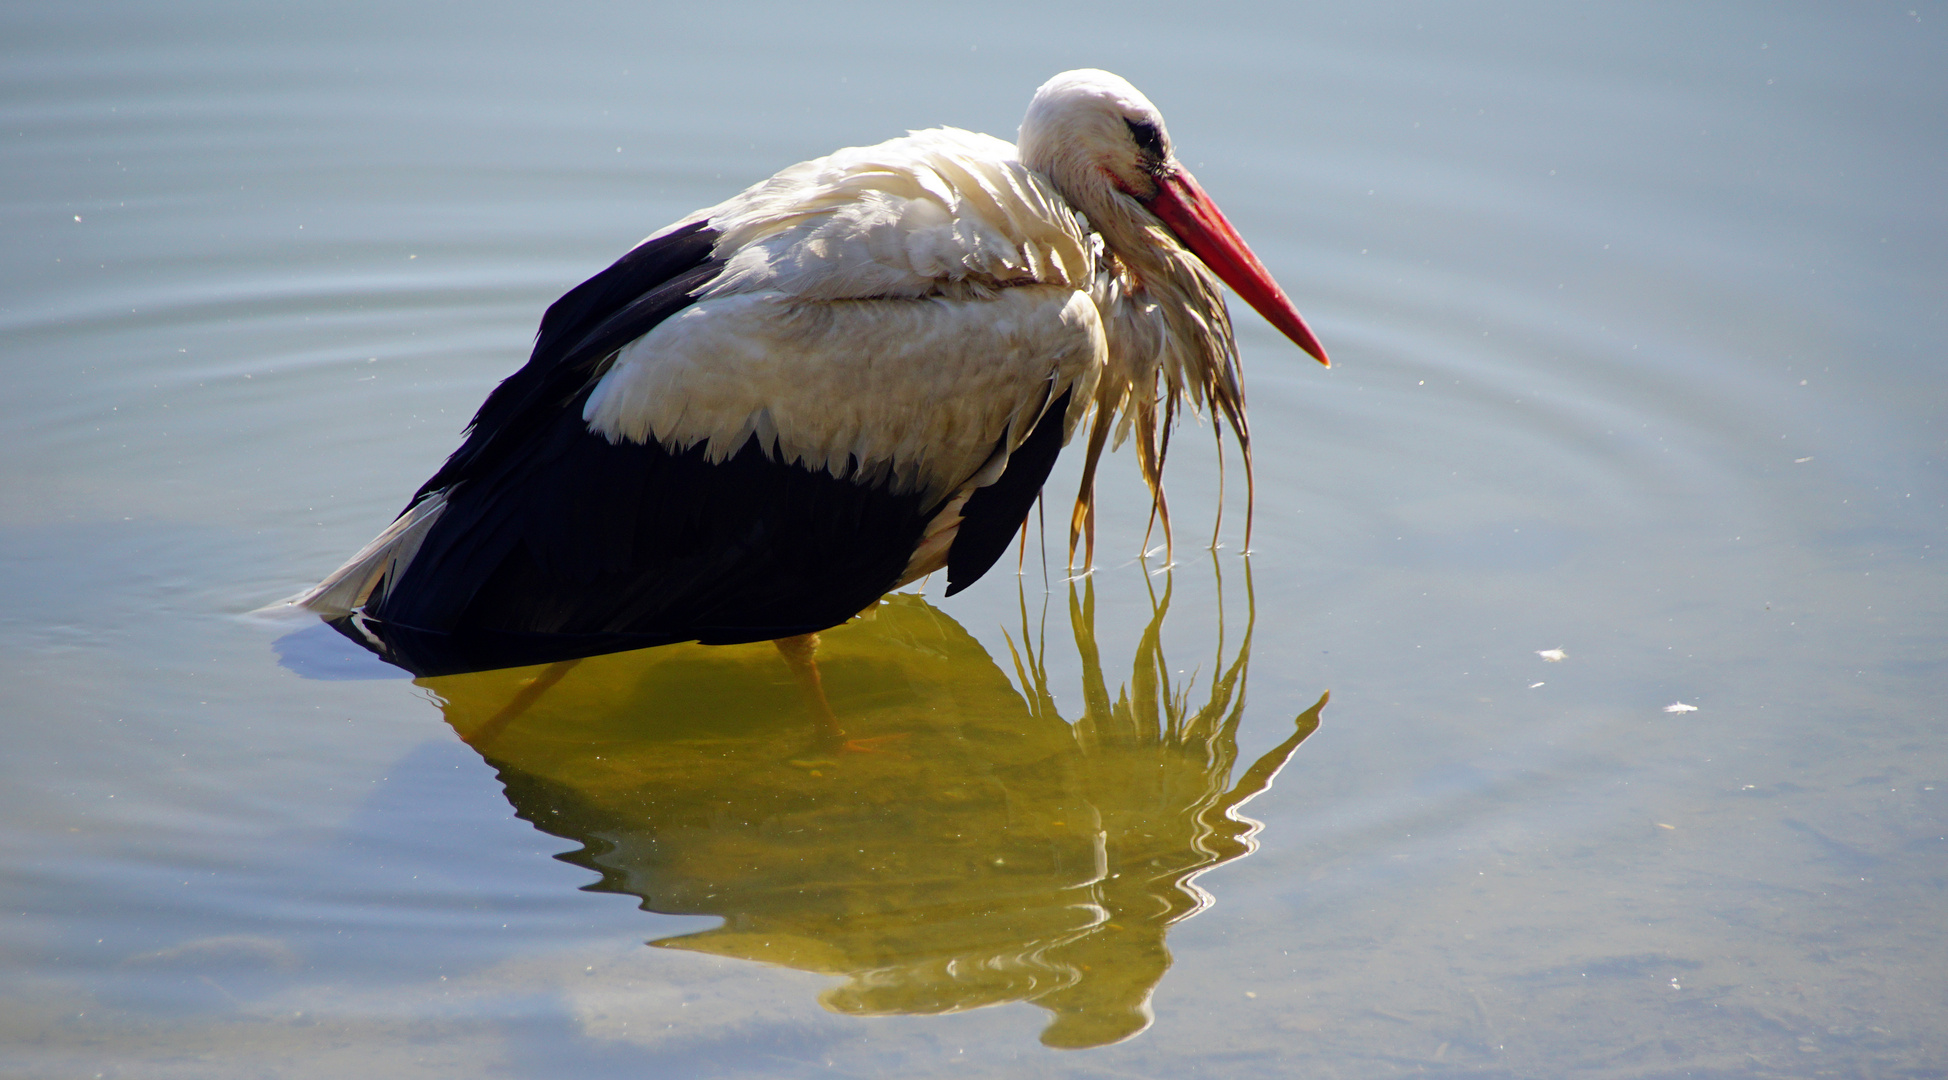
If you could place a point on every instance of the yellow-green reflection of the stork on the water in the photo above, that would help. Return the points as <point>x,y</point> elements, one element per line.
<point>971,847</point>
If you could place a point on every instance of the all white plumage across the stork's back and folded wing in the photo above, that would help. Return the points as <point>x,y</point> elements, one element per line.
<point>883,313</point>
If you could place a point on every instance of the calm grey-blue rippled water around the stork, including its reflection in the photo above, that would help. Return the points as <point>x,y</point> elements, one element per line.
<point>1637,319</point>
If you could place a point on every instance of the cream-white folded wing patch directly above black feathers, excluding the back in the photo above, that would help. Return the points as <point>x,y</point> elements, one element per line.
<point>905,393</point>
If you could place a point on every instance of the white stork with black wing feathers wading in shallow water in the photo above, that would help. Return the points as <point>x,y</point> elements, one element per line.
<point>844,379</point>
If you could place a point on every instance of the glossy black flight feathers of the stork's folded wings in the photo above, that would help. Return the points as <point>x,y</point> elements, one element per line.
<point>556,543</point>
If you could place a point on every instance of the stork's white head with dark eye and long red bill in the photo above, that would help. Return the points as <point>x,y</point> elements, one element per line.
<point>1105,149</point>
